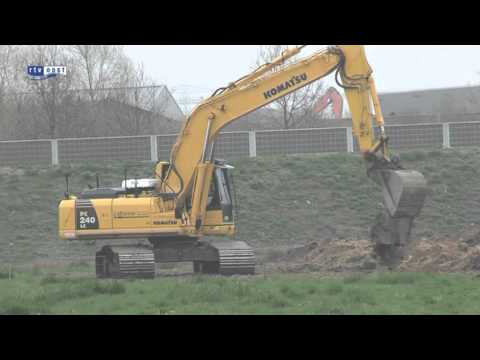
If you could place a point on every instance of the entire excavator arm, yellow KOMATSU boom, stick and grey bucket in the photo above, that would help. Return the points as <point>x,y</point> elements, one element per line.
<point>192,163</point>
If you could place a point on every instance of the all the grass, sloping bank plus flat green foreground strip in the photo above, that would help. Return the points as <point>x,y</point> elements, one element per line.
<point>282,201</point>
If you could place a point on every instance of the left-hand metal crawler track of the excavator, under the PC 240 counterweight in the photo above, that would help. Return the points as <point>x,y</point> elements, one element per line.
<point>121,262</point>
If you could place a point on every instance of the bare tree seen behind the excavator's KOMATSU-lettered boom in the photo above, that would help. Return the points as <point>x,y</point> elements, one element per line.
<point>296,109</point>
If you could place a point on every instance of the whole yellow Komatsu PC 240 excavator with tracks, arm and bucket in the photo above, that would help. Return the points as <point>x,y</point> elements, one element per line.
<point>191,195</point>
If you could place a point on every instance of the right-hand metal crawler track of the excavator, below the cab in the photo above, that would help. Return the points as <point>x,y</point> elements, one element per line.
<point>233,258</point>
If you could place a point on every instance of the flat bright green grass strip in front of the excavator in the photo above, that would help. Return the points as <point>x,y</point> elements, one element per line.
<point>387,293</point>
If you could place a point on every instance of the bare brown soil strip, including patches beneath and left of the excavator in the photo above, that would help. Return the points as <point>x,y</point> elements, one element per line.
<point>454,254</point>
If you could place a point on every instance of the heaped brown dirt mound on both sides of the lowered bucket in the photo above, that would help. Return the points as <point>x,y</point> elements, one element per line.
<point>456,254</point>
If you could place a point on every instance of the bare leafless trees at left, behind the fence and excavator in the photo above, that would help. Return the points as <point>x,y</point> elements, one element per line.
<point>104,93</point>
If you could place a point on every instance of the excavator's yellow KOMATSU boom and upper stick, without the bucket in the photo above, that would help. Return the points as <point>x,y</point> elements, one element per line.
<point>267,84</point>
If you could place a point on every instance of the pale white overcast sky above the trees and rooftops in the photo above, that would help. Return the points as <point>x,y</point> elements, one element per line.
<point>197,70</point>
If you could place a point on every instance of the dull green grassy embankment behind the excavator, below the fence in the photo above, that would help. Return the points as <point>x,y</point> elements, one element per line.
<point>282,200</point>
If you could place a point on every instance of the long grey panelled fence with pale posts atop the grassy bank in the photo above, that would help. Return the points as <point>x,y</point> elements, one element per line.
<point>234,144</point>
